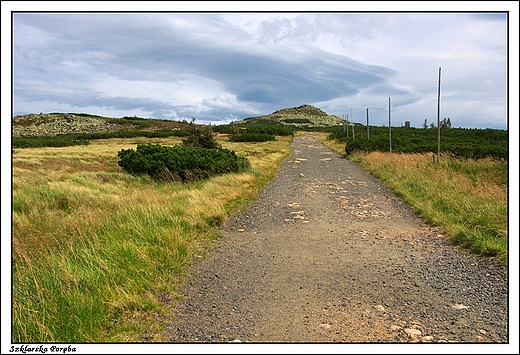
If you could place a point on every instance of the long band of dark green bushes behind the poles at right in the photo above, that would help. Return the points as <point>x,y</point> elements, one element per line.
<point>465,143</point>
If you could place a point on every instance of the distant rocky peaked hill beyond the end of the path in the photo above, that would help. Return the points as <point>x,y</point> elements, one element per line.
<point>304,115</point>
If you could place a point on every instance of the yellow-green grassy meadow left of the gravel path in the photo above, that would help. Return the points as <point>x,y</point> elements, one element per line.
<point>97,253</point>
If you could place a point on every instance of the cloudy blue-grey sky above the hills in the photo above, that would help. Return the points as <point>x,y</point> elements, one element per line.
<point>224,66</point>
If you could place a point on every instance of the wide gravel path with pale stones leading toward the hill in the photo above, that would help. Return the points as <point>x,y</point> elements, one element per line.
<point>329,254</point>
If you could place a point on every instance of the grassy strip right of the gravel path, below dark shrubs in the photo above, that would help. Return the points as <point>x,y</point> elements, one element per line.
<point>468,198</point>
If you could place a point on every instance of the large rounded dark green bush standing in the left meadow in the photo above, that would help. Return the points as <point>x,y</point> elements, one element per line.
<point>180,163</point>
